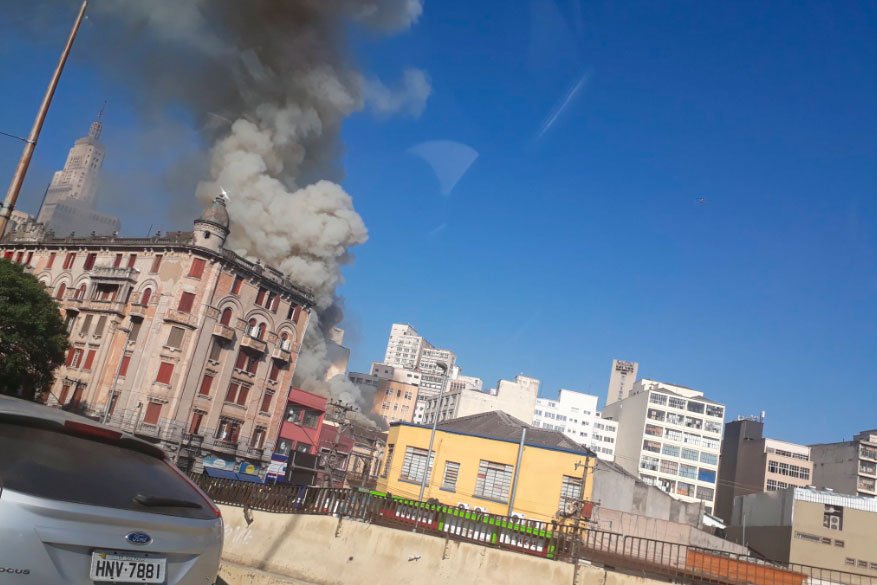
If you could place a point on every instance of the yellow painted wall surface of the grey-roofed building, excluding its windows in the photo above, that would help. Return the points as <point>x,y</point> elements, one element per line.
<point>539,483</point>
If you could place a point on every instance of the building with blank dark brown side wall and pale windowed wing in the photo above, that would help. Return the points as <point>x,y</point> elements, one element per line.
<point>751,463</point>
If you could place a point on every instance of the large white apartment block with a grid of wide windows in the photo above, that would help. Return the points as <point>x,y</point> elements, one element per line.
<point>671,437</point>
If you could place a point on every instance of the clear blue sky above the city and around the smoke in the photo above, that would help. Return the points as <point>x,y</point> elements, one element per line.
<point>576,235</point>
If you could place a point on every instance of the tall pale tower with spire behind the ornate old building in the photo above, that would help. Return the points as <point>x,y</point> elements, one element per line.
<point>69,203</point>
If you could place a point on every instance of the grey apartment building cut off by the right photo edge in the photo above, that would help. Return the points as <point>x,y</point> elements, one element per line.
<point>848,467</point>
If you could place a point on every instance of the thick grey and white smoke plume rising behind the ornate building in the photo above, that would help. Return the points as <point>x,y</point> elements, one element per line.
<point>269,82</point>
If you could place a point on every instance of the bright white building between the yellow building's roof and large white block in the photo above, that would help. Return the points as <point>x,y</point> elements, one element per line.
<point>575,415</point>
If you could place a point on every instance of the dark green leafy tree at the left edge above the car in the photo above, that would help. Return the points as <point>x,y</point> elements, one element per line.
<point>33,338</point>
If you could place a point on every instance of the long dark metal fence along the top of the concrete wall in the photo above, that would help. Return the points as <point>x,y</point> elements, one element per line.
<point>552,540</point>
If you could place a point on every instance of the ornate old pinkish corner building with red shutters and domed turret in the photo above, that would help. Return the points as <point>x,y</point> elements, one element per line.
<point>174,338</point>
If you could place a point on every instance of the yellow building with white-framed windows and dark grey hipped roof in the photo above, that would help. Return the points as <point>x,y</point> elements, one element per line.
<point>475,459</point>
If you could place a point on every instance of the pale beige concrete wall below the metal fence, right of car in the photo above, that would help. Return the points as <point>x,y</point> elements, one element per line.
<point>280,548</point>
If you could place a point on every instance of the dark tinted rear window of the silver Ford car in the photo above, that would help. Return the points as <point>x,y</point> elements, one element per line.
<point>55,465</point>
